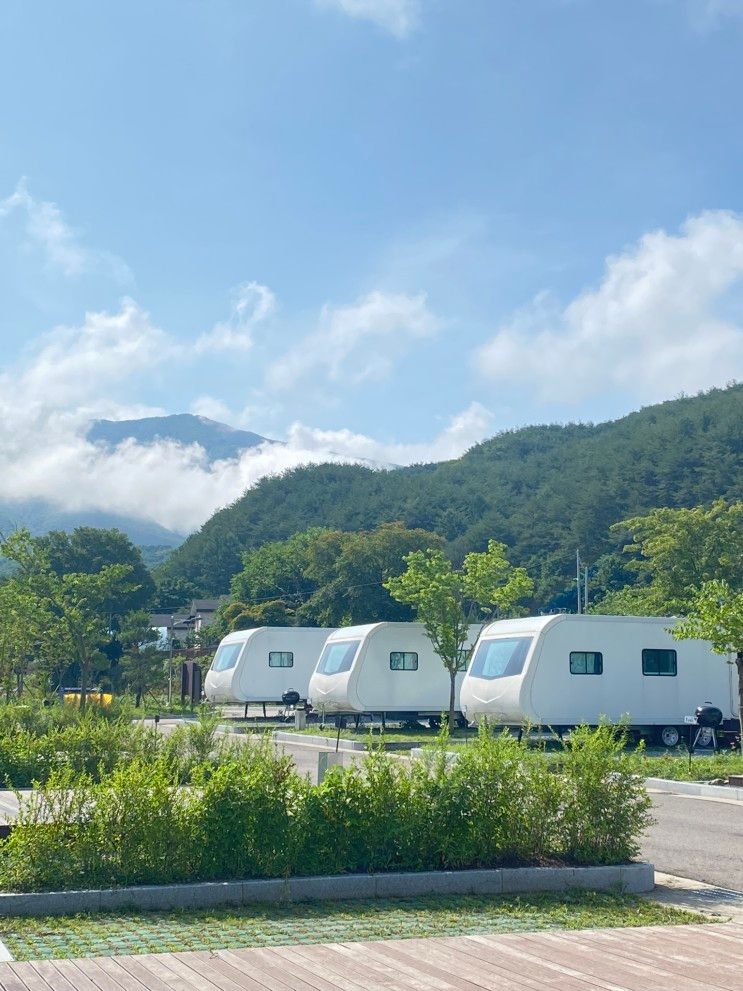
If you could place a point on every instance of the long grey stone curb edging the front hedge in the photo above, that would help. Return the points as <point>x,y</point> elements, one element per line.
<point>634,878</point>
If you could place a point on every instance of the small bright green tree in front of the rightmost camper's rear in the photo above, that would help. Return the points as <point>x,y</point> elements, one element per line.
<point>716,614</point>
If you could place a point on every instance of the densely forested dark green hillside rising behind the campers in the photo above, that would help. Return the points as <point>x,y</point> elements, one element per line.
<point>543,491</point>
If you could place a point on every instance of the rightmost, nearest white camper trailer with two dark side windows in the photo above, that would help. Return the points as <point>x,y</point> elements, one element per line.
<point>564,670</point>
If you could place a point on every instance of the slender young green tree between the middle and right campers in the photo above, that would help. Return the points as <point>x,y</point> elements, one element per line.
<point>445,599</point>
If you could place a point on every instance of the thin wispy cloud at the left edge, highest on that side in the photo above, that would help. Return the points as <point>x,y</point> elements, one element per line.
<point>46,228</point>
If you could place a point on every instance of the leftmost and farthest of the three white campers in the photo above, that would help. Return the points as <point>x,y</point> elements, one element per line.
<point>260,665</point>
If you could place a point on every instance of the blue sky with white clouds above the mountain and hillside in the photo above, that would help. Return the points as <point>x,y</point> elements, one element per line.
<point>384,228</point>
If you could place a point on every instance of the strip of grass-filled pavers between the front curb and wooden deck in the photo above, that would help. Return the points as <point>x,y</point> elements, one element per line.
<point>323,922</point>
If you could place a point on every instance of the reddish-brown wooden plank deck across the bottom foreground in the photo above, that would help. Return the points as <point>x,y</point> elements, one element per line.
<point>693,958</point>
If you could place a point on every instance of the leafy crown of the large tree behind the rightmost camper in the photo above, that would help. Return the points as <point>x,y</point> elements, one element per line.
<point>675,551</point>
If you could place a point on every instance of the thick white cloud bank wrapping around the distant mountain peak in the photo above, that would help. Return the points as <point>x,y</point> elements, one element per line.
<point>73,376</point>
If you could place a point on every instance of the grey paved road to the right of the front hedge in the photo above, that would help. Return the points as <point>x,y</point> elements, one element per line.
<point>697,838</point>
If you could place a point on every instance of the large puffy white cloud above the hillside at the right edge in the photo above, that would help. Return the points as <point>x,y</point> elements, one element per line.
<point>662,321</point>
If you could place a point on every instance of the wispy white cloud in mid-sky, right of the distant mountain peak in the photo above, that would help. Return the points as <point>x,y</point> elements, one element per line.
<point>358,342</point>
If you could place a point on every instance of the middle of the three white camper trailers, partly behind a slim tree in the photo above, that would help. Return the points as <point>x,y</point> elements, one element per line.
<point>386,669</point>
